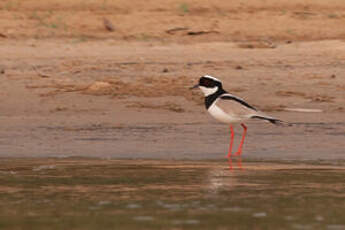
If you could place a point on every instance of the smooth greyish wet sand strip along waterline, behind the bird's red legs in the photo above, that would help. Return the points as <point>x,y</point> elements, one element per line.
<point>195,140</point>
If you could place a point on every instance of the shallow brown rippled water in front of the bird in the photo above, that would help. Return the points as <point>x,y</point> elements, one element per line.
<point>153,194</point>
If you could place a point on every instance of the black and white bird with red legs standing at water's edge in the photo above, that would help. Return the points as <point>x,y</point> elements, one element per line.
<point>229,109</point>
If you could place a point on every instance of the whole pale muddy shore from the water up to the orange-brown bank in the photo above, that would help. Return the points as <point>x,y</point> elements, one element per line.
<point>86,106</point>
